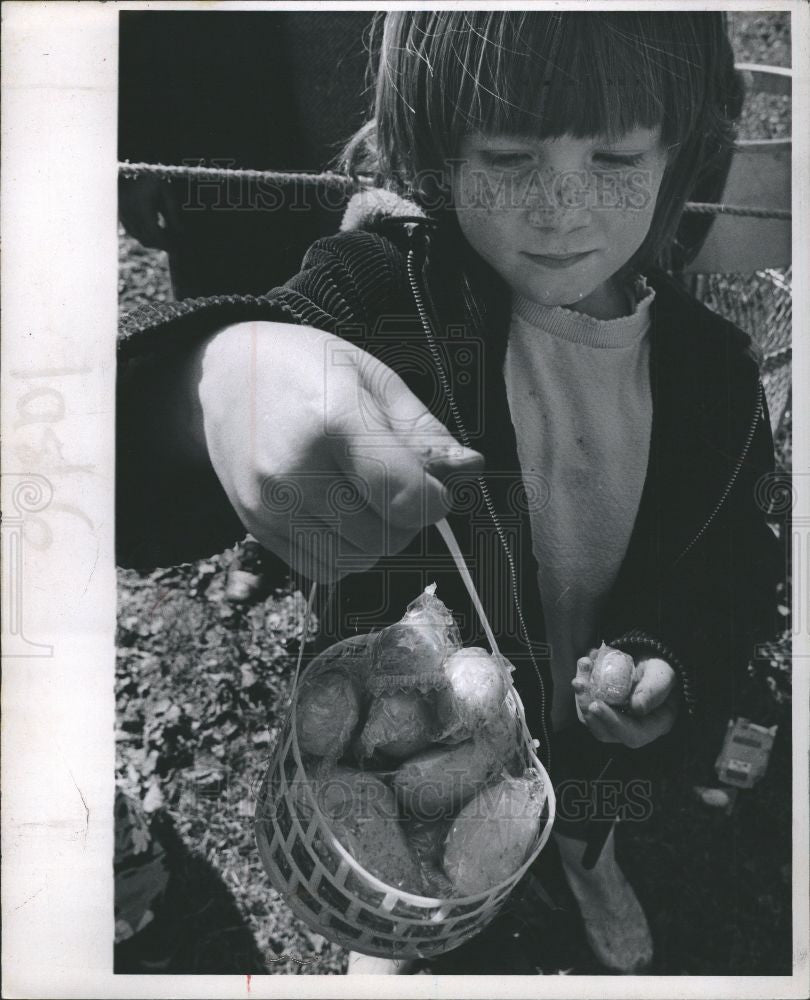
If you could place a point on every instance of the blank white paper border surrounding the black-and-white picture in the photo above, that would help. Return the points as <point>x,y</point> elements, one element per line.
<point>59,287</point>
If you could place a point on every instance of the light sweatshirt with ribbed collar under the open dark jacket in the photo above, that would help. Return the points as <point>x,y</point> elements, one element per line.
<point>580,402</point>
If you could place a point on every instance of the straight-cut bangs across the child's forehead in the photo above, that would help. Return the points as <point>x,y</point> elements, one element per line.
<point>546,75</point>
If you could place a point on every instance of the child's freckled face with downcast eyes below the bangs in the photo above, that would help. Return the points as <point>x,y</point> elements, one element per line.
<point>557,218</point>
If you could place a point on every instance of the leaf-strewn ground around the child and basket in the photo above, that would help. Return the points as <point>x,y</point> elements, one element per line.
<point>201,690</point>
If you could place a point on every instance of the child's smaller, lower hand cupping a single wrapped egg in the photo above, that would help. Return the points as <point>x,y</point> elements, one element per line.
<point>651,712</point>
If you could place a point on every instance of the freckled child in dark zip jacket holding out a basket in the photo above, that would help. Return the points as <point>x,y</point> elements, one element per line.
<point>489,338</point>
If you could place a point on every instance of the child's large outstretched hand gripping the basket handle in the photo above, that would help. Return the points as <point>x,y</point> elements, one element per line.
<point>327,457</point>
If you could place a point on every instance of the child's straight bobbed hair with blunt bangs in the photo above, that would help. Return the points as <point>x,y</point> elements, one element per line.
<point>442,74</point>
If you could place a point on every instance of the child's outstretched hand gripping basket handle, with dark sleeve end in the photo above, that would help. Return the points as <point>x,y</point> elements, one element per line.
<point>263,426</point>
